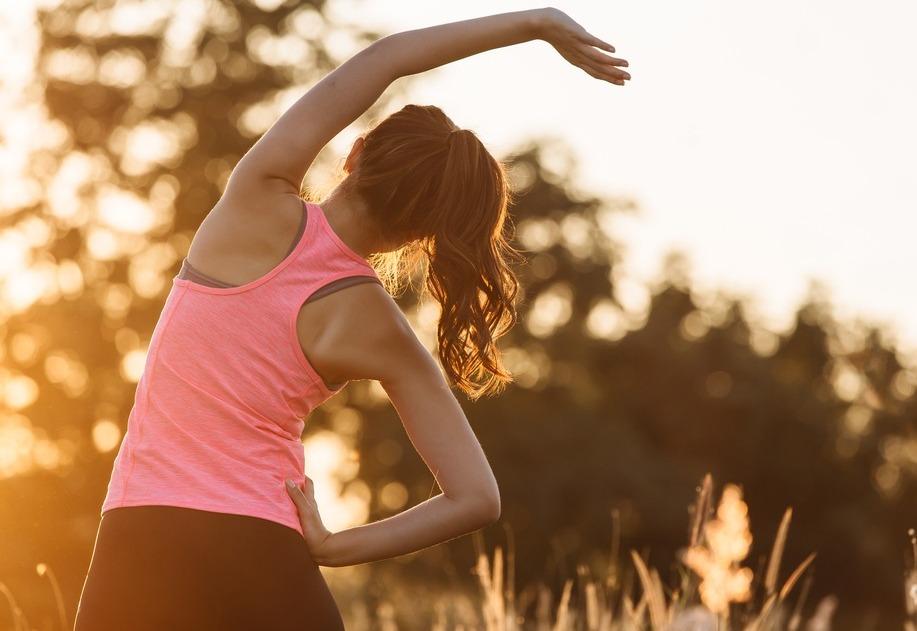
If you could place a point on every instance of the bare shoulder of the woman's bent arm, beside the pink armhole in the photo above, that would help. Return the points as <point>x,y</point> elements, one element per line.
<point>366,335</point>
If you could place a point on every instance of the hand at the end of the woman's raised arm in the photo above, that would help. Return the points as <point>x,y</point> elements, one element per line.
<point>579,47</point>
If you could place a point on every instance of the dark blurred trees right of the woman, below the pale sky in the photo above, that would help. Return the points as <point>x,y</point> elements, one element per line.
<point>626,400</point>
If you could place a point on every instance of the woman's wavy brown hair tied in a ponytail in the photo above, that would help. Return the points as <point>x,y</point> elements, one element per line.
<point>436,189</point>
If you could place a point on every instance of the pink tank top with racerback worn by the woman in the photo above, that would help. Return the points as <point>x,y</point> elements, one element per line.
<point>222,402</point>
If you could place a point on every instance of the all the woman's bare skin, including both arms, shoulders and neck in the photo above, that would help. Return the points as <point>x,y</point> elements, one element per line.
<point>359,332</point>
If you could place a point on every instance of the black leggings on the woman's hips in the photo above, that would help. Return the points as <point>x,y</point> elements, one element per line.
<point>166,568</point>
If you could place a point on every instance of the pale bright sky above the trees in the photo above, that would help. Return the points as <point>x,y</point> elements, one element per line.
<point>772,143</point>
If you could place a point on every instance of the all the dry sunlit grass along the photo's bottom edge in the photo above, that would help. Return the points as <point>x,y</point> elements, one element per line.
<point>715,593</point>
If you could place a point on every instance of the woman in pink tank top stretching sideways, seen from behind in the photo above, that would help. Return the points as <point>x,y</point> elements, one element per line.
<point>275,309</point>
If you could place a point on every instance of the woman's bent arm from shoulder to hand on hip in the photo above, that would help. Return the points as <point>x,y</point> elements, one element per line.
<point>373,340</point>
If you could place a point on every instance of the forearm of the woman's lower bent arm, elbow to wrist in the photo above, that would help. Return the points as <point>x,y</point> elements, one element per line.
<point>433,521</point>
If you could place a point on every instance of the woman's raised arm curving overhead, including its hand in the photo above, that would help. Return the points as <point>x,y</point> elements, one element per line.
<point>278,161</point>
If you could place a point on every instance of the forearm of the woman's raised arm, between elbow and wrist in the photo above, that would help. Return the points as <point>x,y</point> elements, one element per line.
<point>418,50</point>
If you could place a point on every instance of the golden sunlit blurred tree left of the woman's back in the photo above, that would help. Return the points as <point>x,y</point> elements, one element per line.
<point>145,107</point>
